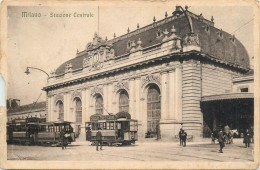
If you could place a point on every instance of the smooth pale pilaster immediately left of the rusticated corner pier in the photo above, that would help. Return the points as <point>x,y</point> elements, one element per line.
<point>172,94</point>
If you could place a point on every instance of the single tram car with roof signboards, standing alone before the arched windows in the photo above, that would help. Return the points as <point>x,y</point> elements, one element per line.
<point>116,129</point>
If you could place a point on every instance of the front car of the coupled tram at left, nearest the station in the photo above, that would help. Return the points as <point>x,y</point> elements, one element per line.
<point>50,133</point>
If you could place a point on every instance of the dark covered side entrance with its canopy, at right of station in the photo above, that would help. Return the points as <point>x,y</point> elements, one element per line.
<point>235,110</point>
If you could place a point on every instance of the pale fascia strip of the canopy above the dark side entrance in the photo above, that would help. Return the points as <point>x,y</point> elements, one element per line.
<point>229,96</point>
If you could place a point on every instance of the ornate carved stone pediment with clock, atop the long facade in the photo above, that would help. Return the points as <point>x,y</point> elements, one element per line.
<point>98,52</point>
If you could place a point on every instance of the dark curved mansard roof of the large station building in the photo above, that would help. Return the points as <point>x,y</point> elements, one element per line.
<point>212,41</point>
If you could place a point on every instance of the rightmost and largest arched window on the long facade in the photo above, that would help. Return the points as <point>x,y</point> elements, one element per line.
<point>153,108</point>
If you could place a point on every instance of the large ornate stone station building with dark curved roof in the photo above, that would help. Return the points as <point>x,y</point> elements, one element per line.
<point>167,73</point>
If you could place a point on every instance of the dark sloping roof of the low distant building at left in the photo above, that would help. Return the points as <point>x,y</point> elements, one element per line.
<point>28,107</point>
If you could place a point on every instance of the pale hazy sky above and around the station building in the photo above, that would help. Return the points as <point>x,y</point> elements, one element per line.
<point>47,42</point>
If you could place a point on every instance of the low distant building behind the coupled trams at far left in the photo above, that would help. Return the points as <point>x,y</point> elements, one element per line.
<point>24,111</point>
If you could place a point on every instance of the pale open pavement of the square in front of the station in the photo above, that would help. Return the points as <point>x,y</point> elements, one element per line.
<point>141,151</point>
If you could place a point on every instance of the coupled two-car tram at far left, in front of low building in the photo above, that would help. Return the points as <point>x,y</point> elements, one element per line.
<point>35,131</point>
